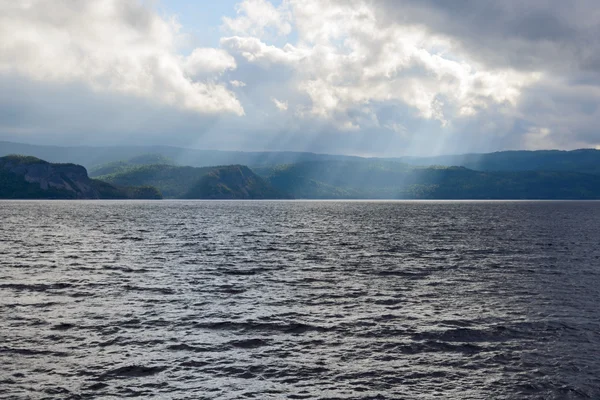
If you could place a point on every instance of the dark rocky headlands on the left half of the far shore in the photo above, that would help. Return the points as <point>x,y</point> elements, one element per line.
<point>27,177</point>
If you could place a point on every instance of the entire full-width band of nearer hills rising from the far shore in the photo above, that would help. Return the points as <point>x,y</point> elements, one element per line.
<point>29,177</point>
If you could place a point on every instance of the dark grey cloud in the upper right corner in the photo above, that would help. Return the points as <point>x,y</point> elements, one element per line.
<point>552,35</point>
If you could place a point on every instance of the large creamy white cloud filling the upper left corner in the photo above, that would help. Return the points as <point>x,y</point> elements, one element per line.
<point>111,45</point>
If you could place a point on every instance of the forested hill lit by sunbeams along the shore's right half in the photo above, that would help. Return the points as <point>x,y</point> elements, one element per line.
<point>390,180</point>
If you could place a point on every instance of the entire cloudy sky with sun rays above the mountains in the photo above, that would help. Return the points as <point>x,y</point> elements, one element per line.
<point>360,77</point>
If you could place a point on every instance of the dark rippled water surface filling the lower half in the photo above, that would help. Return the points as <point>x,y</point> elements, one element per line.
<point>271,300</point>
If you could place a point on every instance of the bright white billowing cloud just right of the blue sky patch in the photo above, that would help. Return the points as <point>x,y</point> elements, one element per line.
<point>345,61</point>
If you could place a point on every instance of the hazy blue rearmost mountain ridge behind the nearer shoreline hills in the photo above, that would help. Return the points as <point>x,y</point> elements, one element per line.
<point>582,160</point>
